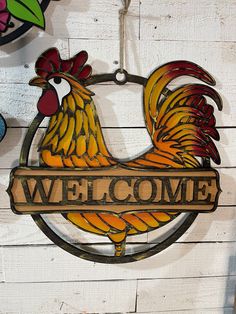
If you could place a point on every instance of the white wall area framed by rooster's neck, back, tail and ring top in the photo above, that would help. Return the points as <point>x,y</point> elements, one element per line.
<point>114,104</point>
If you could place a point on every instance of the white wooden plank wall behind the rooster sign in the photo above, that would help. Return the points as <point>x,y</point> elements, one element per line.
<point>195,275</point>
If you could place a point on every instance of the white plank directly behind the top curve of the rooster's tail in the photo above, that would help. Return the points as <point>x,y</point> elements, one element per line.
<point>218,58</point>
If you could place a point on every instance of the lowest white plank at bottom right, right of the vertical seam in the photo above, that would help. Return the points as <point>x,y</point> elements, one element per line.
<point>185,294</point>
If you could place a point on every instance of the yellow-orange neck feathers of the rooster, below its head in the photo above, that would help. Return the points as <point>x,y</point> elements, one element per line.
<point>74,135</point>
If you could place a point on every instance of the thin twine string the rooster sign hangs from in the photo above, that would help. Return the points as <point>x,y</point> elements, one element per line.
<point>123,12</point>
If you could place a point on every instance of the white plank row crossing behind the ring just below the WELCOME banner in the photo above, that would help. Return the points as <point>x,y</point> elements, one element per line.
<point>219,226</point>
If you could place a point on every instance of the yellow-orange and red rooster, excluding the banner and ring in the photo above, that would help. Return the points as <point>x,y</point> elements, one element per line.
<point>181,126</point>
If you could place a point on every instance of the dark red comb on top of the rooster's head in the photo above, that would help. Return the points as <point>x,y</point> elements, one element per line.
<point>50,62</point>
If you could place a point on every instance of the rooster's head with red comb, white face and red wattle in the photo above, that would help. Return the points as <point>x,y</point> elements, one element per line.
<point>59,78</point>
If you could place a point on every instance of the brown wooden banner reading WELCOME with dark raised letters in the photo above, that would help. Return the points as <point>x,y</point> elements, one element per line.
<point>39,190</point>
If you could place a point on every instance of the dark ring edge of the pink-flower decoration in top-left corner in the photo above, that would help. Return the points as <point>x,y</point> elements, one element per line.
<point>22,29</point>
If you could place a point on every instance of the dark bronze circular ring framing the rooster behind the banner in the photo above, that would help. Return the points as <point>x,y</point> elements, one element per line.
<point>54,237</point>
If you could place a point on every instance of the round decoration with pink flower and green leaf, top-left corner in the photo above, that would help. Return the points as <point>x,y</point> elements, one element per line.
<point>18,16</point>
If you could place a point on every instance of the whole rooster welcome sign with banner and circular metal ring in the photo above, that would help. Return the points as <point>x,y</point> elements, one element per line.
<point>78,177</point>
